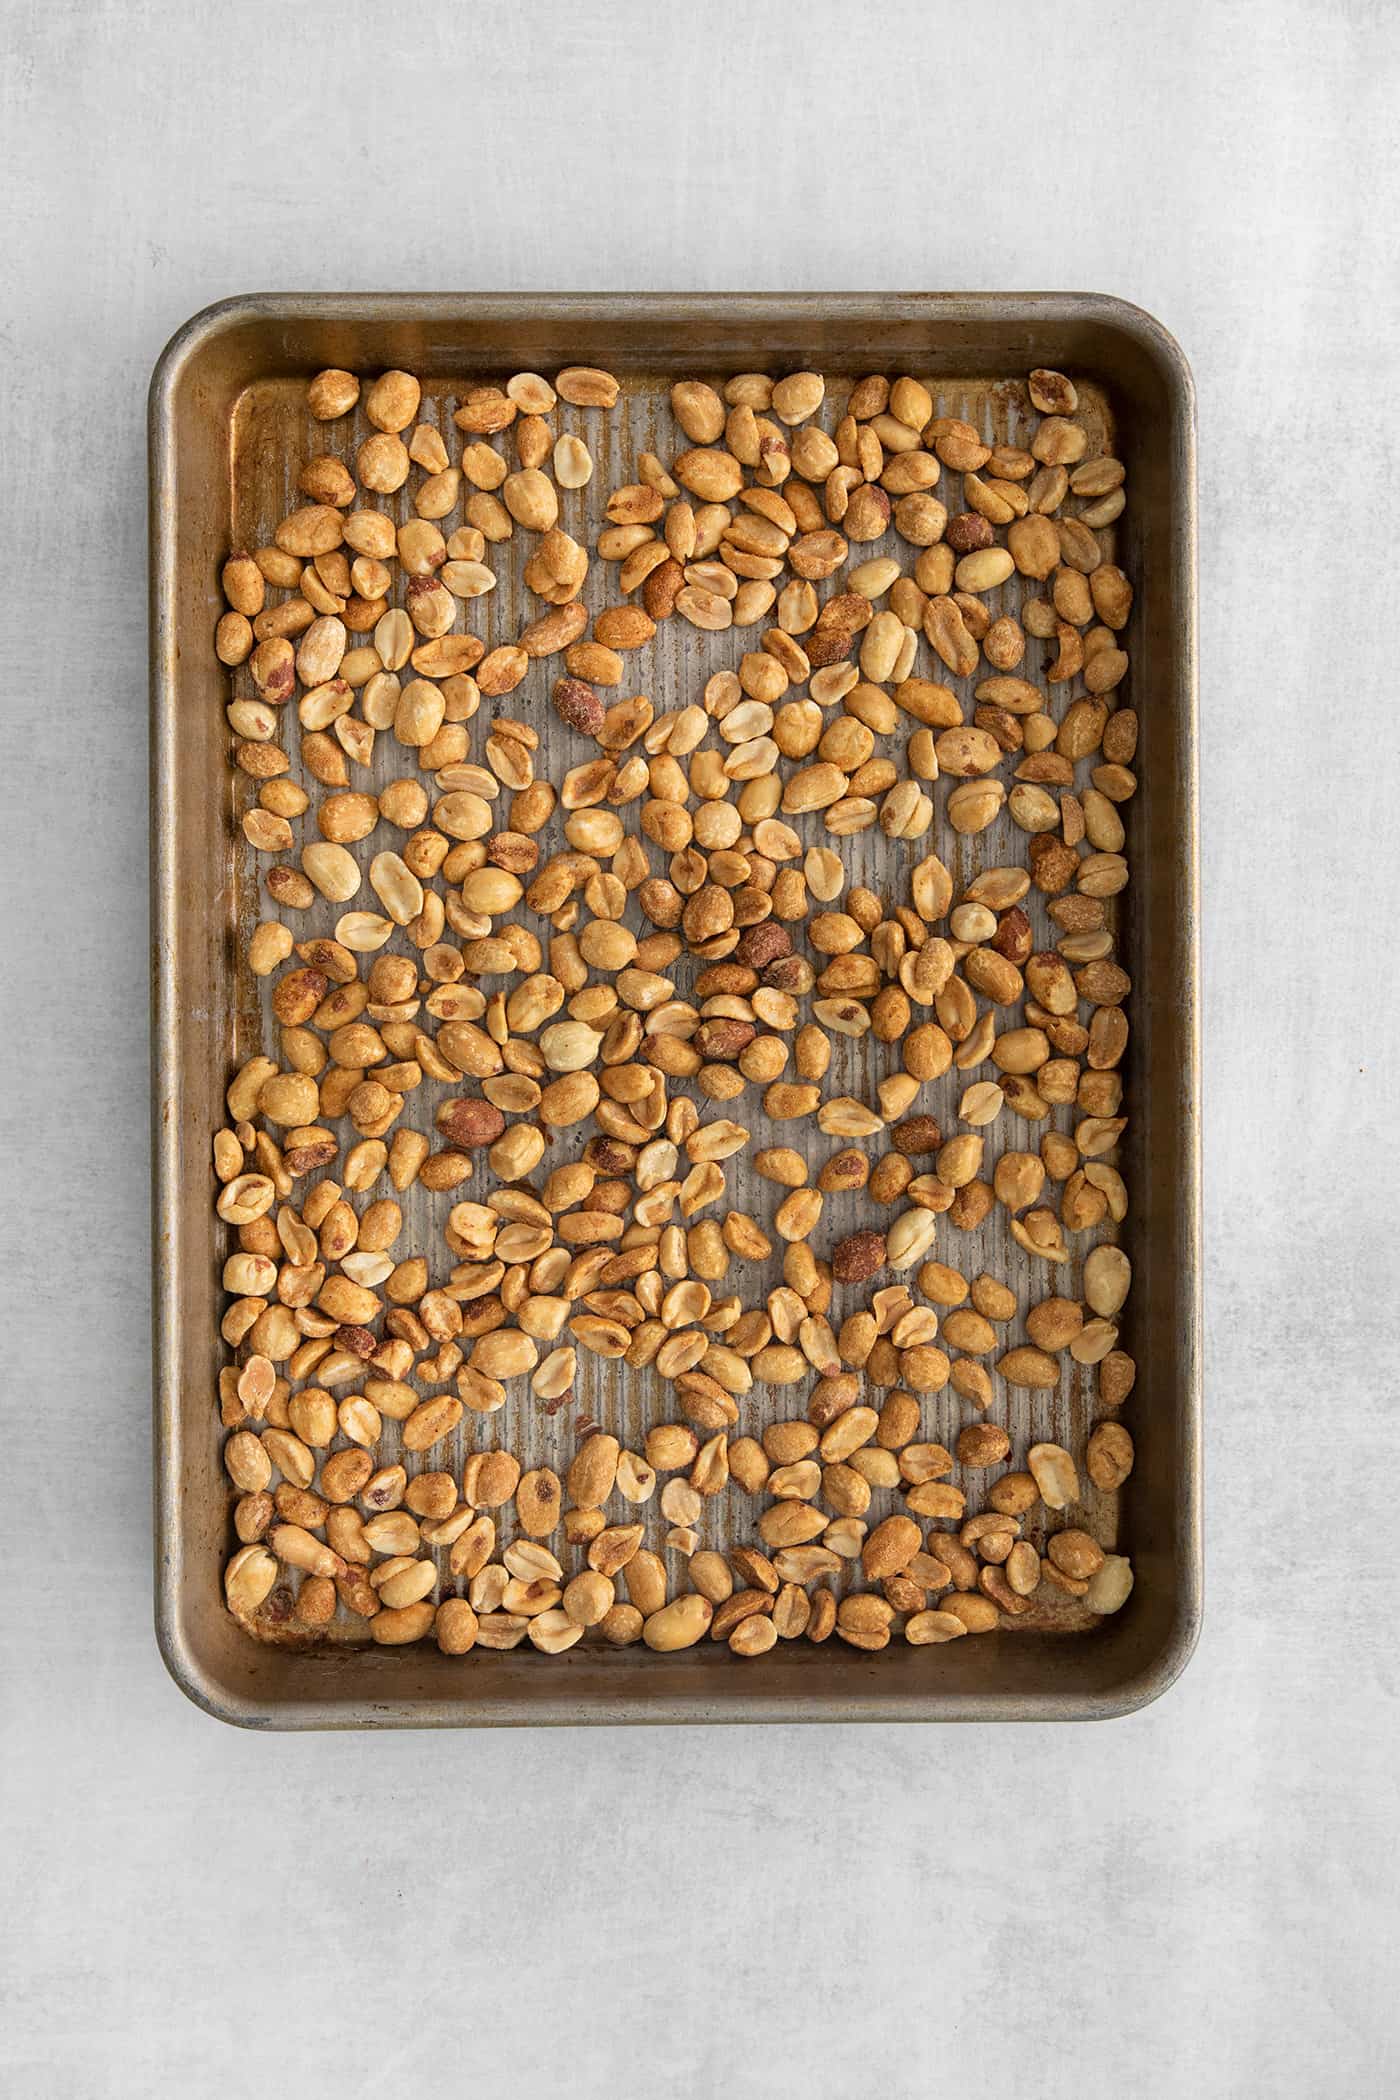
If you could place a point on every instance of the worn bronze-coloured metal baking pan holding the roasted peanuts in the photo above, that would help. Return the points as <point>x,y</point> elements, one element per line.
<point>228,429</point>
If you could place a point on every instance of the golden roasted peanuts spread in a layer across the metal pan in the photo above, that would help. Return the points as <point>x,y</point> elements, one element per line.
<point>599,957</point>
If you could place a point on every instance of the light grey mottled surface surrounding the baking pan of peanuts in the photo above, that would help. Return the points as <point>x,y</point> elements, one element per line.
<point>1189,1904</point>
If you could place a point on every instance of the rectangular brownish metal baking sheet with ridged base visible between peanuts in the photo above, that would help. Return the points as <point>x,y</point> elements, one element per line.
<point>242,379</point>
